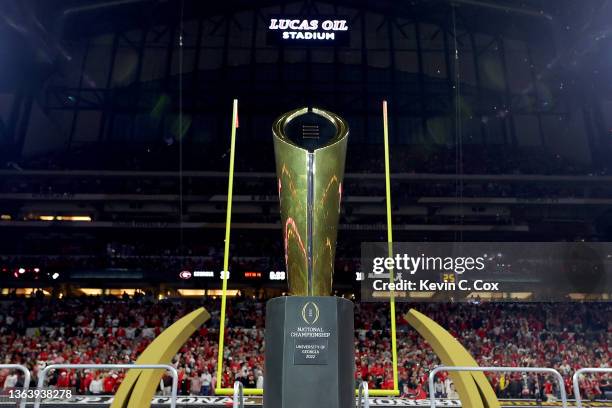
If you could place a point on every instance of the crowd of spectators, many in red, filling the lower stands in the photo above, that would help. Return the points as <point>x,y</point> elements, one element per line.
<point>566,336</point>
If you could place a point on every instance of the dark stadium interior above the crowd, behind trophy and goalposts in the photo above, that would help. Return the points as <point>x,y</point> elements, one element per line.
<point>500,130</point>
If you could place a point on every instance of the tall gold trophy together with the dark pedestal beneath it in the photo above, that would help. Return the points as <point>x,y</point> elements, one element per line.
<point>309,336</point>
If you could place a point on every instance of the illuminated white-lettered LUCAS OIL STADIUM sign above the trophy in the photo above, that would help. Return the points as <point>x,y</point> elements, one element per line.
<point>305,31</point>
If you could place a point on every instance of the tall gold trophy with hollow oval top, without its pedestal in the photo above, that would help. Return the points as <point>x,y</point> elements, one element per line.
<point>310,150</point>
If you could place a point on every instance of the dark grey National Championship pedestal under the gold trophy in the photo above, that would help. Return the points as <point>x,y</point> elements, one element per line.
<point>310,356</point>
